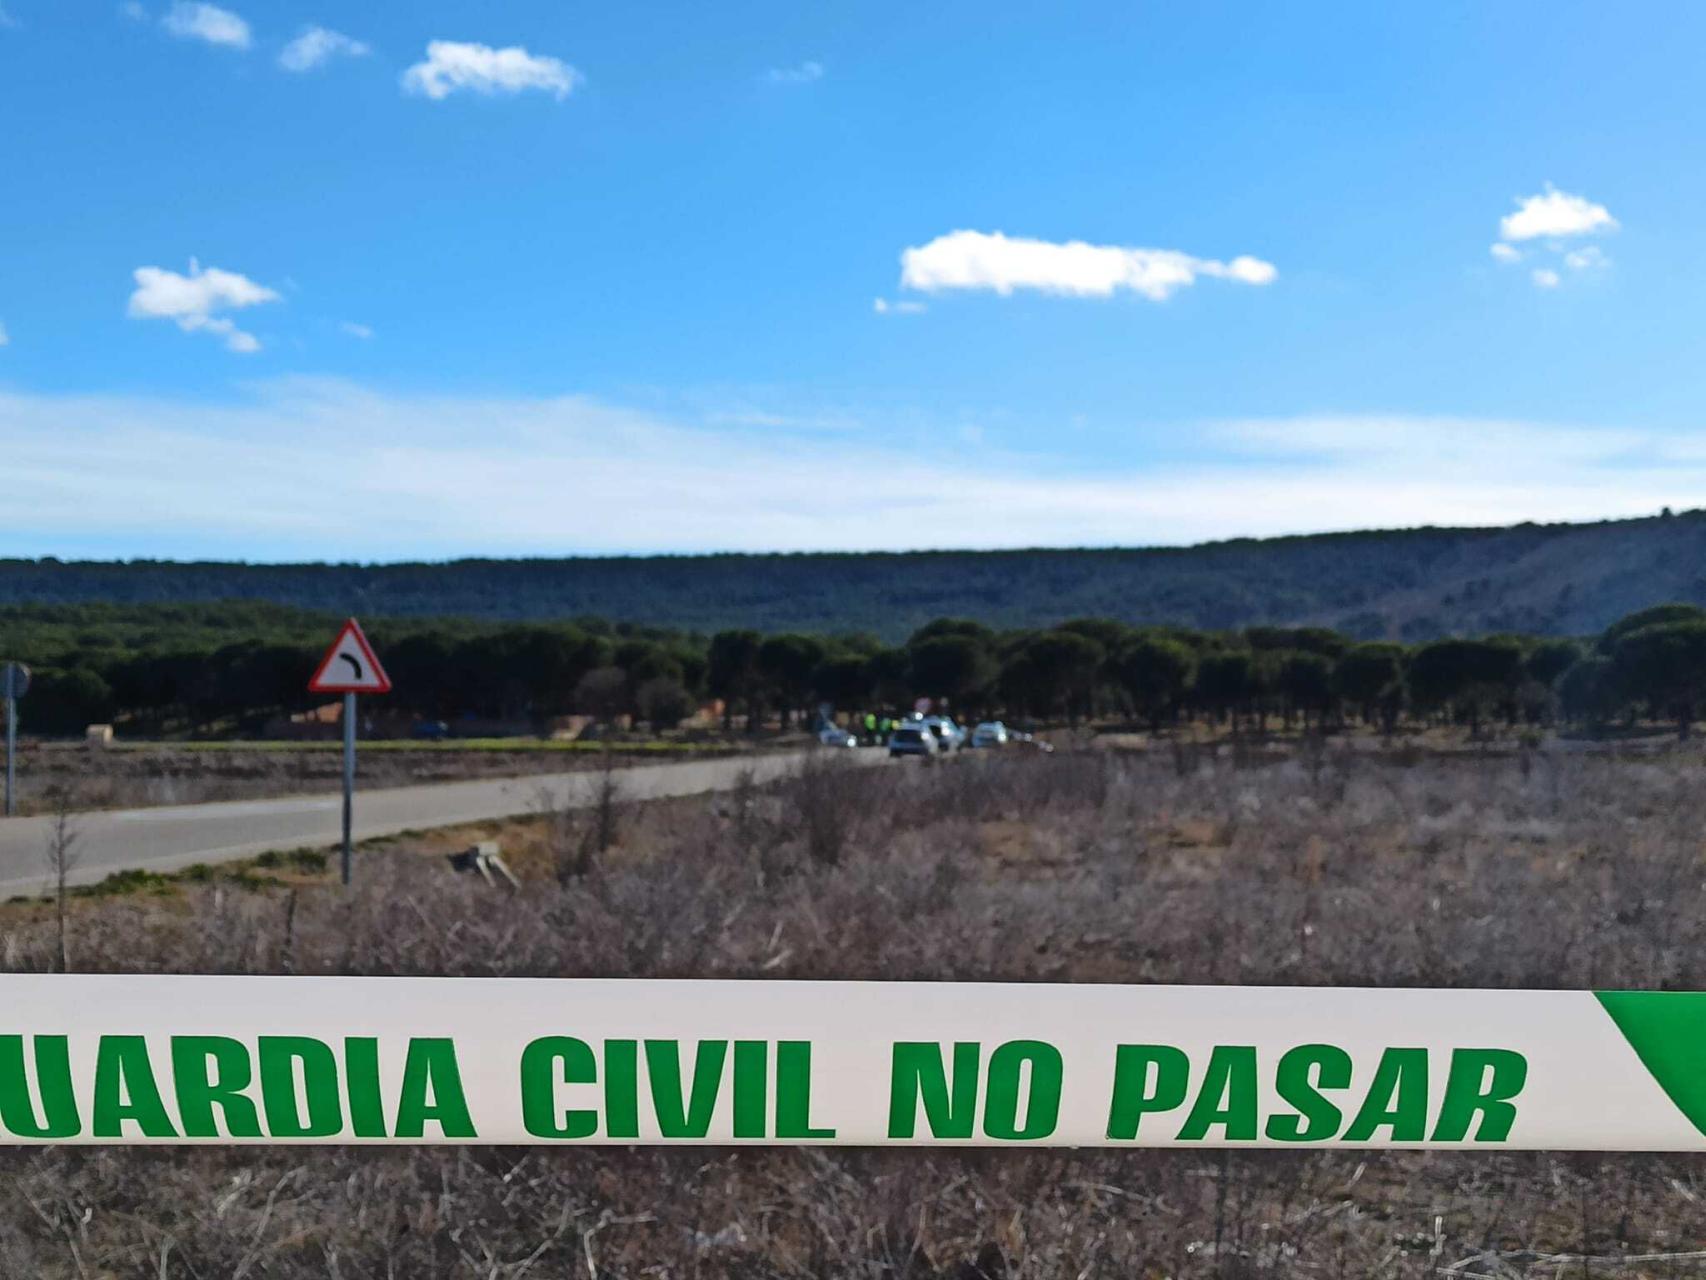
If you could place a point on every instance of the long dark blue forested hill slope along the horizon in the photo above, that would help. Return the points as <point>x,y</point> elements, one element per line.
<point>1405,585</point>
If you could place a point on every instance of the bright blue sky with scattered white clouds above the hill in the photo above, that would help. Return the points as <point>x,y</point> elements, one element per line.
<point>545,279</point>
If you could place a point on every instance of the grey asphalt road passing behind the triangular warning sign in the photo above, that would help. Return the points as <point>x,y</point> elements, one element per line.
<point>171,839</point>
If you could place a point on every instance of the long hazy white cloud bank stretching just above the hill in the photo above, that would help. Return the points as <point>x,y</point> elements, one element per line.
<point>136,475</point>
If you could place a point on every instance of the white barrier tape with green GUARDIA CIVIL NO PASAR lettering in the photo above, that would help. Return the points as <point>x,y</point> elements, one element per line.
<point>584,1062</point>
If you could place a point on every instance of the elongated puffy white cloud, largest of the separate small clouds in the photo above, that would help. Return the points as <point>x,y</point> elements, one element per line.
<point>980,260</point>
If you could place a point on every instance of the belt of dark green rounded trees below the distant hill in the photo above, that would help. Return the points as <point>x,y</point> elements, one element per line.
<point>231,668</point>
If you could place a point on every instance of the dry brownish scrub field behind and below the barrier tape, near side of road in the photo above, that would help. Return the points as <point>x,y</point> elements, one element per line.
<point>1088,866</point>
